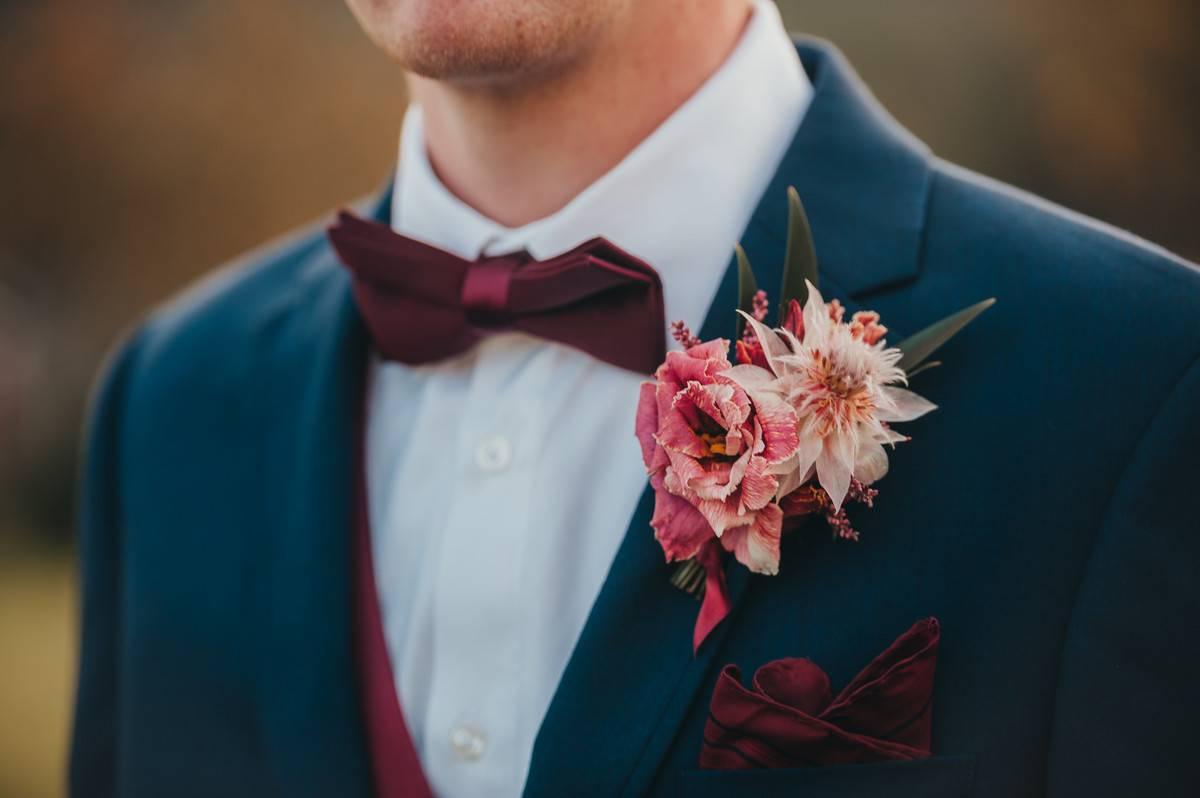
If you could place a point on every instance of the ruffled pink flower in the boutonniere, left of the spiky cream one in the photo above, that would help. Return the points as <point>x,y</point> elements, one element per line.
<point>712,453</point>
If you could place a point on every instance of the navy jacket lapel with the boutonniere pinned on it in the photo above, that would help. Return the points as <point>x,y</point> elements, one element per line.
<point>633,676</point>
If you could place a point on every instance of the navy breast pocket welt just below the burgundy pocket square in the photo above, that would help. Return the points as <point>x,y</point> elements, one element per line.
<point>940,777</point>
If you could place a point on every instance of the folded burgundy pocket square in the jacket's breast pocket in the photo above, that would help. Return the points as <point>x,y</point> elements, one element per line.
<point>789,717</point>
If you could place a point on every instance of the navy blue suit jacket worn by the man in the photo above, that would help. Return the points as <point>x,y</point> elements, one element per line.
<point>1046,514</point>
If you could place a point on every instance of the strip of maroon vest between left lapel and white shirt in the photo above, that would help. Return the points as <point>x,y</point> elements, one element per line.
<point>395,765</point>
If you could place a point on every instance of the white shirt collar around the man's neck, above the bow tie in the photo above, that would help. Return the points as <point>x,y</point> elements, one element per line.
<point>679,201</point>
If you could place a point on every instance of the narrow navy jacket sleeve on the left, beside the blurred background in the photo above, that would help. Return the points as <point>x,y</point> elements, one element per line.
<point>95,741</point>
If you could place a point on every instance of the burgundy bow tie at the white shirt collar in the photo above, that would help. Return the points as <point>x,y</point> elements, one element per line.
<point>423,304</point>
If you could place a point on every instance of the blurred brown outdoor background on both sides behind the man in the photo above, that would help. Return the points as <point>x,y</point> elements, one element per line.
<point>142,142</point>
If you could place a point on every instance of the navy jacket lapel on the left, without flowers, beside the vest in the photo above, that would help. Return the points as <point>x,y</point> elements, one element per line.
<point>310,710</point>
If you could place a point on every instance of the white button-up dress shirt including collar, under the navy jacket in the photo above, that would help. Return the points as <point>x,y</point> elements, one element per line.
<point>502,482</point>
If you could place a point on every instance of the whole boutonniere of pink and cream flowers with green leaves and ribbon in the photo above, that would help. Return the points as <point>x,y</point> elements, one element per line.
<point>797,425</point>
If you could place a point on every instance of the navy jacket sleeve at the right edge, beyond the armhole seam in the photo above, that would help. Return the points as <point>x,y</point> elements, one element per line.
<point>1129,703</point>
